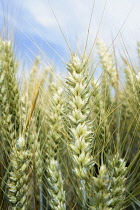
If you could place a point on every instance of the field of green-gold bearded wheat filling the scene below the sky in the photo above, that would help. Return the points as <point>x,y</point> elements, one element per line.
<point>70,141</point>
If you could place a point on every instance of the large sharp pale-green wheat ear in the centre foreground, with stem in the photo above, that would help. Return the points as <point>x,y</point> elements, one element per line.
<point>79,127</point>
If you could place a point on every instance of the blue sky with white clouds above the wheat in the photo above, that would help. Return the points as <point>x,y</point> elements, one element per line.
<point>34,22</point>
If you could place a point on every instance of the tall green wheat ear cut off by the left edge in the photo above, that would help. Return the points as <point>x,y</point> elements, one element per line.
<point>9,105</point>
